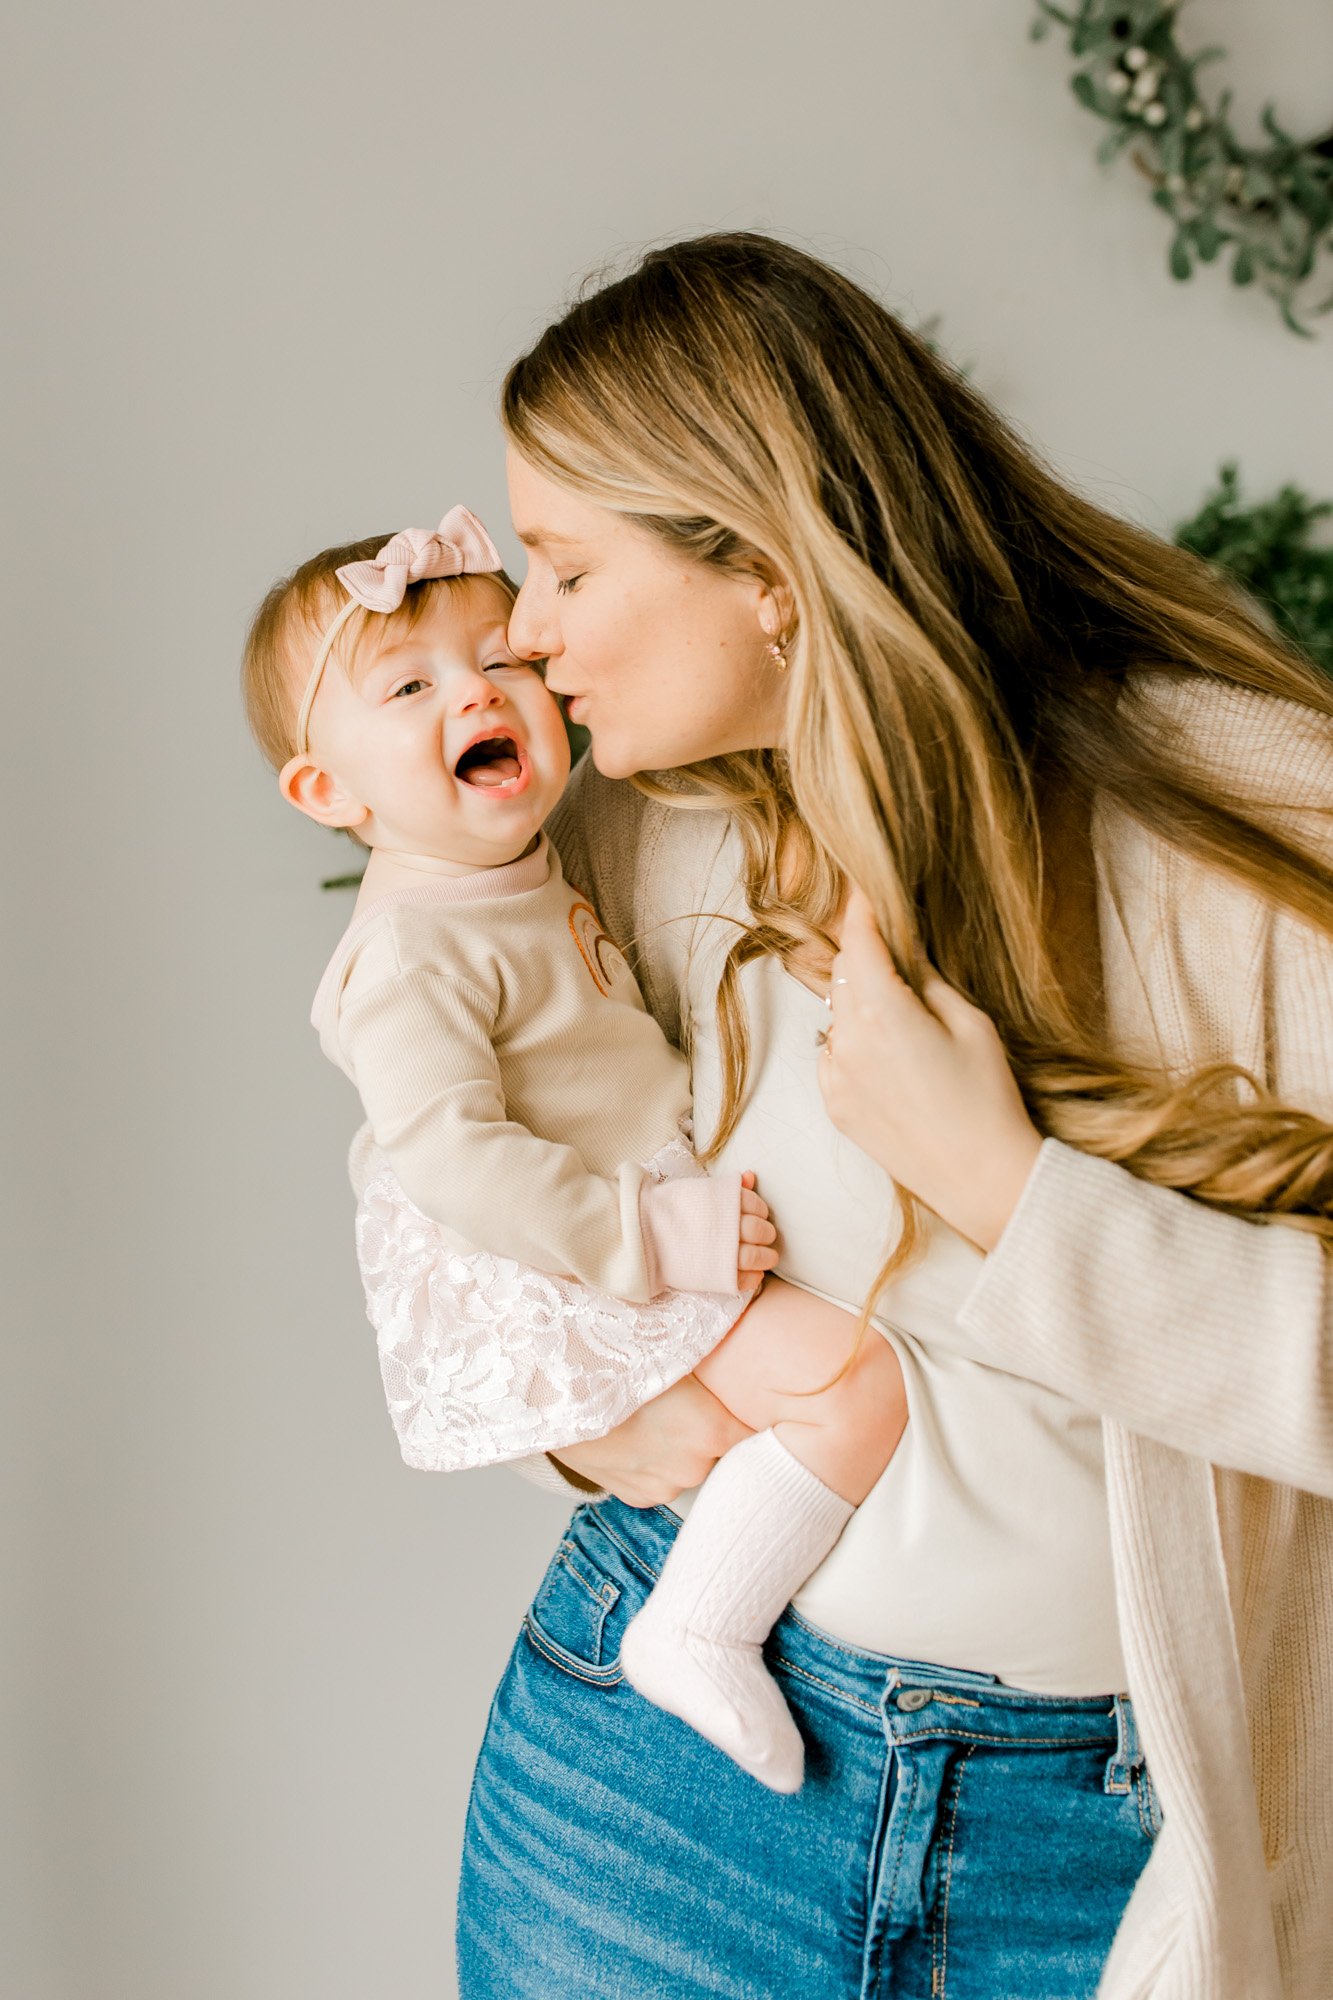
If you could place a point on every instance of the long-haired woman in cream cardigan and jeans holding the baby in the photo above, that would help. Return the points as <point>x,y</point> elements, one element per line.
<point>790,563</point>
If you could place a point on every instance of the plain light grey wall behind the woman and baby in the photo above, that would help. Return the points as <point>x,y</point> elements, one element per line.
<point>275,261</point>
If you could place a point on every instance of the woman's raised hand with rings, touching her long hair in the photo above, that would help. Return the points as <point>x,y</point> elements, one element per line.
<point>926,1091</point>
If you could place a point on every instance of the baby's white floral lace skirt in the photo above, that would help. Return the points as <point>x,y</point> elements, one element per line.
<point>485,1359</point>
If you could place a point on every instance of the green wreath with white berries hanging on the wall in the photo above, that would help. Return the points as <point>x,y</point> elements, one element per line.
<point>1268,207</point>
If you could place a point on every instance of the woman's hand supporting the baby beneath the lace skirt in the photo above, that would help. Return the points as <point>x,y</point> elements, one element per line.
<point>661,1451</point>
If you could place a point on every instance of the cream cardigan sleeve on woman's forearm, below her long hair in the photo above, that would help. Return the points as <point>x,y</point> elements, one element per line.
<point>1202,1331</point>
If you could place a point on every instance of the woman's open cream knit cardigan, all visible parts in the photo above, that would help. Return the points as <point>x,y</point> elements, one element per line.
<point>1206,1345</point>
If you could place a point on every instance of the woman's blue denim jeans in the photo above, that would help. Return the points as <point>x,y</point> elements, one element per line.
<point>954,1839</point>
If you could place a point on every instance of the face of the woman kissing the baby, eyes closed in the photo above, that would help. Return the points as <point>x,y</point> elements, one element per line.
<point>661,659</point>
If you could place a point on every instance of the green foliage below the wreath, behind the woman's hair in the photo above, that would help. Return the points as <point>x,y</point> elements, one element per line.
<point>1272,553</point>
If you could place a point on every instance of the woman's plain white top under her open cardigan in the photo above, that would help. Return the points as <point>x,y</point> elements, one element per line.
<point>988,1543</point>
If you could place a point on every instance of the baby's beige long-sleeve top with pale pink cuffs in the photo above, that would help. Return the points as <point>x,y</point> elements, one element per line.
<point>517,1085</point>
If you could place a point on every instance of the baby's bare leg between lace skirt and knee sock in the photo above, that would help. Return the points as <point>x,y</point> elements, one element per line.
<point>792,1341</point>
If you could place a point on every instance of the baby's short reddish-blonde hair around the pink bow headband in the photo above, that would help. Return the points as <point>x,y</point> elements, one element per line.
<point>297,611</point>
